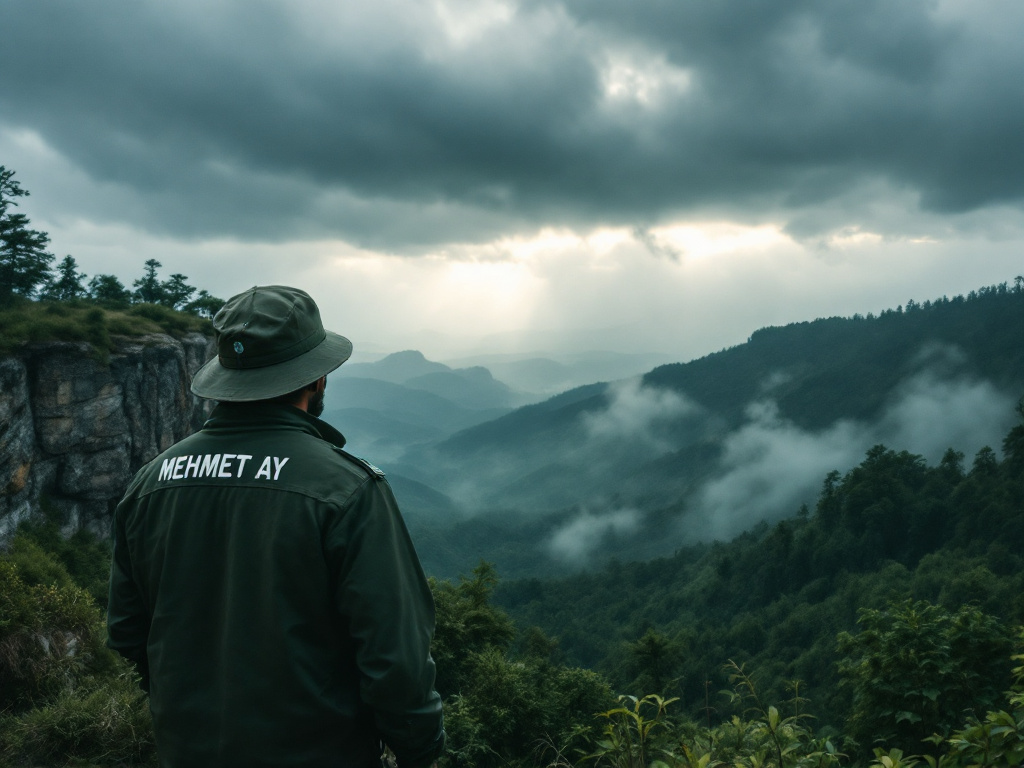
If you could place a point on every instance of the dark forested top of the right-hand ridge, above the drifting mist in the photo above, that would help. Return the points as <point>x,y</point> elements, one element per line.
<point>847,368</point>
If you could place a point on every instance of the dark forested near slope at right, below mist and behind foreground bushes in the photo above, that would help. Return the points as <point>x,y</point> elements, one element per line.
<point>892,529</point>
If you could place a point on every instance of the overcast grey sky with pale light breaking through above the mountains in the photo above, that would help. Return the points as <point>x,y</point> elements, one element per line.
<point>488,176</point>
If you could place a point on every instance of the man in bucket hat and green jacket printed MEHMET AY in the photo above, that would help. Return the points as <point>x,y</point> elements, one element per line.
<point>264,581</point>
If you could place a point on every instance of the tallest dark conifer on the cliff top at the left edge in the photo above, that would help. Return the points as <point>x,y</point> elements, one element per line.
<point>25,263</point>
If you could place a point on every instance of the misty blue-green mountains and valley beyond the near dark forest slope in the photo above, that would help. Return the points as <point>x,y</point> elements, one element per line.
<point>641,466</point>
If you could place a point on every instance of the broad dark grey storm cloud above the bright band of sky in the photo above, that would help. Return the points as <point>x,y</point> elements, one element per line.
<point>263,121</point>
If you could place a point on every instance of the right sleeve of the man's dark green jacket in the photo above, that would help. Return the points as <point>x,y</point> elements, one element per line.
<point>382,592</point>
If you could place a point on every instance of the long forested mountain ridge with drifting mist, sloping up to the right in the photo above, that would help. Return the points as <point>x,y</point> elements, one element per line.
<point>744,435</point>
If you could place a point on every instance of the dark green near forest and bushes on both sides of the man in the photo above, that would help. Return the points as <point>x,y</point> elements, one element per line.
<point>876,627</point>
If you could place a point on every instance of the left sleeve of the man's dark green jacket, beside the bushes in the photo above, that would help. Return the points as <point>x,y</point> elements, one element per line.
<point>127,616</point>
